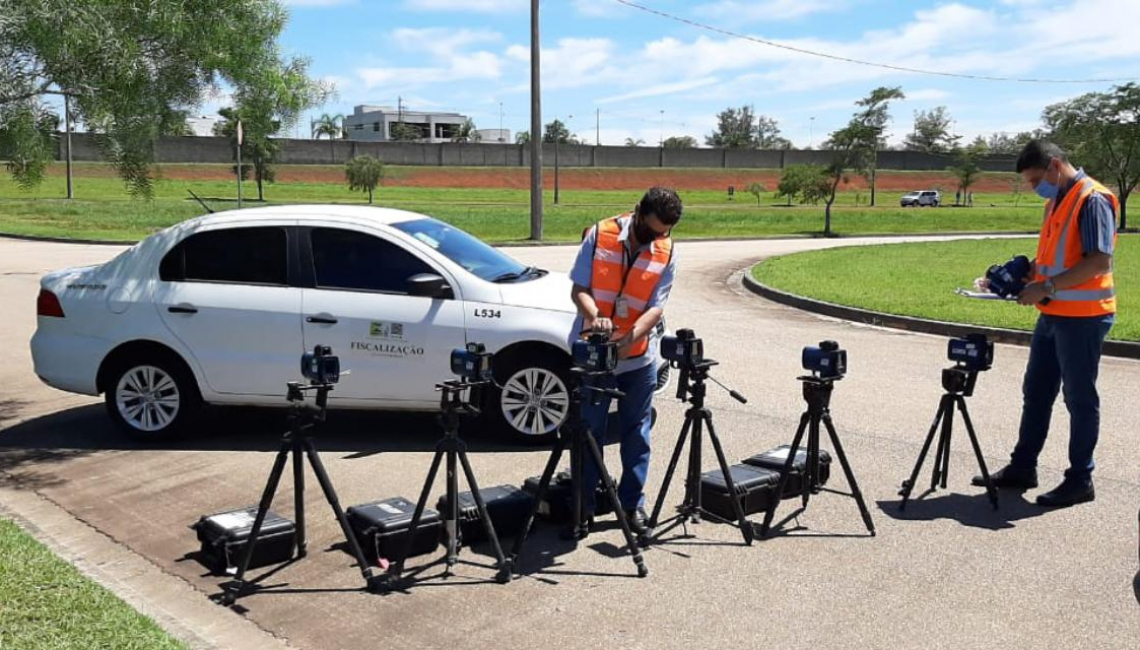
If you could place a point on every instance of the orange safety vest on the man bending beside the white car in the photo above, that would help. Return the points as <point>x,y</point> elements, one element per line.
<point>612,280</point>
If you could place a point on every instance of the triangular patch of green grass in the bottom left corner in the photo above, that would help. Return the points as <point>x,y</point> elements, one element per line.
<point>47,605</point>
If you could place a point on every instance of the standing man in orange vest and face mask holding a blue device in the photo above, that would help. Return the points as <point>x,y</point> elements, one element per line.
<point>1072,287</point>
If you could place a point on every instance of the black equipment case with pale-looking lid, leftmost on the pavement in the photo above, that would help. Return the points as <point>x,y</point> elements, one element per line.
<point>224,537</point>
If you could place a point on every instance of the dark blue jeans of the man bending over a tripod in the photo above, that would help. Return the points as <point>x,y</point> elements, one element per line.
<point>636,420</point>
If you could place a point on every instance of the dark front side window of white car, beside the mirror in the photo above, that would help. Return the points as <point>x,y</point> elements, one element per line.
<point>348,259</point>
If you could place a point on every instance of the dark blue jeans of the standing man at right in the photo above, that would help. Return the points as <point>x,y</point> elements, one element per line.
<point>1065,353</point>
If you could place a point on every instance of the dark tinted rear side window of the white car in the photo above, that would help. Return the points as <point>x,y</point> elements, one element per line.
<point>242,256</point>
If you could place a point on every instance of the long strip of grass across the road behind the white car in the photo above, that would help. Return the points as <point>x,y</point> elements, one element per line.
<point>102,210</point>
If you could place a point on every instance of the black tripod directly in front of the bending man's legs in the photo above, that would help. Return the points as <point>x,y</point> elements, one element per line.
<point>575,435</point>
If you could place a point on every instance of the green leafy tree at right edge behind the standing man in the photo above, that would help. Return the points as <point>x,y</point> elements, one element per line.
<point>1102,131</point>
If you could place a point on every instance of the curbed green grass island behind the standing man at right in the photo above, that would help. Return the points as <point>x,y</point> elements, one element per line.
<point>919,280</point>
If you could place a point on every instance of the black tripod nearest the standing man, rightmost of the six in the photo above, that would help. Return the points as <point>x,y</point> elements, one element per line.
<point>959,384</point>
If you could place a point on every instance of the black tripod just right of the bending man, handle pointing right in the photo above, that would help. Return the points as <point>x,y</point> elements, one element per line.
<point>691,388</point>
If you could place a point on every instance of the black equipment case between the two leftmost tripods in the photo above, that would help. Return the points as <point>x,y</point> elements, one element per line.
<point>382,527</point>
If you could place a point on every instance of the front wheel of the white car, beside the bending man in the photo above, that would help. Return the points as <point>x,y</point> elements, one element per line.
<point>532,401</point>
